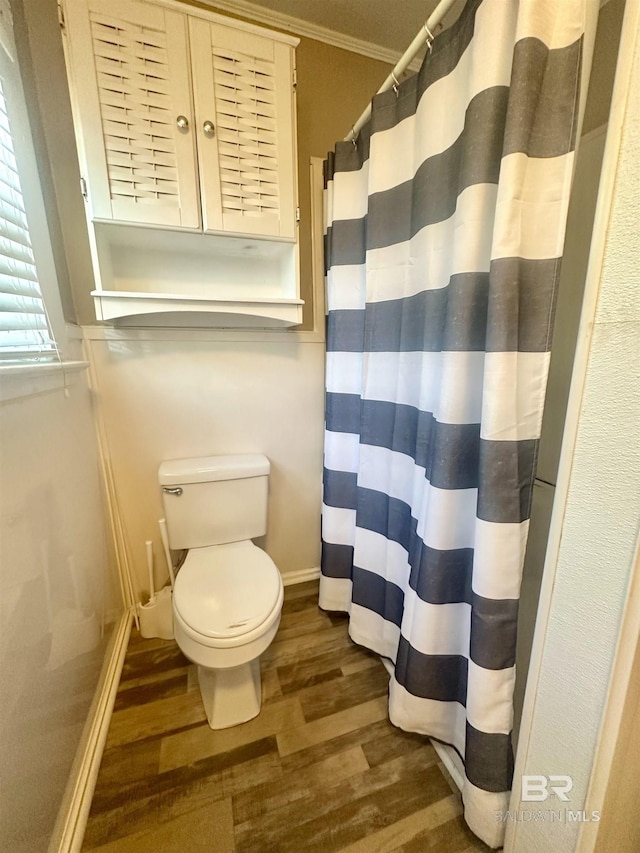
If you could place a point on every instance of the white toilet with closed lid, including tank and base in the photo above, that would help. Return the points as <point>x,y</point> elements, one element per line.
<point>227,596</point>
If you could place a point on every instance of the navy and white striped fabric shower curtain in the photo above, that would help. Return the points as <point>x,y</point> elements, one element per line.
<point>445,230</point>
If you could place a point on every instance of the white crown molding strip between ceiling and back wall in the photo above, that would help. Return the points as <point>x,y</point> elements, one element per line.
<point>290,24</point>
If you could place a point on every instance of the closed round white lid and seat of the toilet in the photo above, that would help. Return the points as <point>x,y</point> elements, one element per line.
<point>227,595</point>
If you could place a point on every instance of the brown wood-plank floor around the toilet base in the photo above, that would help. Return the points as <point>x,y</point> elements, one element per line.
<point>320,769</point>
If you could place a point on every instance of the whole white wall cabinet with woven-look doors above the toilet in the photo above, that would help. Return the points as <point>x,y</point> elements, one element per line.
<point>185,122</point>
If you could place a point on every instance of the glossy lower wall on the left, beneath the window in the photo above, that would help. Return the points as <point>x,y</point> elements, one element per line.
<point>52,632</point>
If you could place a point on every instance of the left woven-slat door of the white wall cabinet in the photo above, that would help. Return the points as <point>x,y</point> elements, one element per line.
<point>131,81</point>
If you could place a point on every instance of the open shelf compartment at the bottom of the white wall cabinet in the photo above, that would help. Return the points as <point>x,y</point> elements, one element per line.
<point>147,274</point>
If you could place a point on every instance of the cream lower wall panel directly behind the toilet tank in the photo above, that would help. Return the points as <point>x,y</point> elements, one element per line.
<point>166,395</point>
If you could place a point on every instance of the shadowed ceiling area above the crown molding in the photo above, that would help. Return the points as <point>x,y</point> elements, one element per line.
<point>389,24</point>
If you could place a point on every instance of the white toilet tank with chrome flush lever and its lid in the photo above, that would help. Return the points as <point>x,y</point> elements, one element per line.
<point>211,500</point>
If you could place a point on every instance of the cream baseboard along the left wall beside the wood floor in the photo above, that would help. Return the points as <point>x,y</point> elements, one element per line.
<point>72,818</point>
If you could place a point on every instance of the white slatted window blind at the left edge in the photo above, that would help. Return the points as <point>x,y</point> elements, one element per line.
<point>24,328</point>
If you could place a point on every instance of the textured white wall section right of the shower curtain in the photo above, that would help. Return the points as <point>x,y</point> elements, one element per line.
<point>586,589</point>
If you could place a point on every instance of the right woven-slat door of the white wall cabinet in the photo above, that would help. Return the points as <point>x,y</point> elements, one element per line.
<point>243,92</point>
